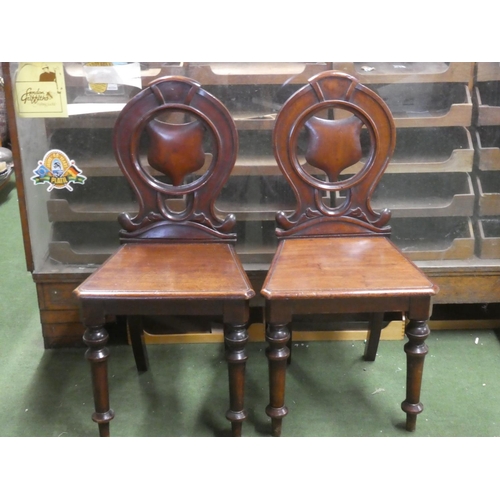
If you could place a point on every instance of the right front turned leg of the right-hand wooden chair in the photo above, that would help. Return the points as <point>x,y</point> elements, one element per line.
<point>416,349</point>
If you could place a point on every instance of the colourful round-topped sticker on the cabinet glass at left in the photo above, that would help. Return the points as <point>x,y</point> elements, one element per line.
<point>58,171</point>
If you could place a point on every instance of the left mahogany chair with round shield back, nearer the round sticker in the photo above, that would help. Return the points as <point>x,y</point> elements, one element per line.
<point>176,255</point>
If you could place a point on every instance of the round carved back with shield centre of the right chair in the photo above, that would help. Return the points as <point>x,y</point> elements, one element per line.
<point>318,144</point>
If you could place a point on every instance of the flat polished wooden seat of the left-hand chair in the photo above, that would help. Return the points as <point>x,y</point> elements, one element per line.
<point>169,271</point>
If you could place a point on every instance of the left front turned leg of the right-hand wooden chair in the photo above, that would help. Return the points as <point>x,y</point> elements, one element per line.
<point>277,353</point>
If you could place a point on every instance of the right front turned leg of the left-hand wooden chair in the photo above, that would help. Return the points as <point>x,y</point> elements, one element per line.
<point>236,338</point>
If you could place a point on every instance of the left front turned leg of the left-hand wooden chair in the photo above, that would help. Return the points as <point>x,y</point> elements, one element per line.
<point>96,337</point>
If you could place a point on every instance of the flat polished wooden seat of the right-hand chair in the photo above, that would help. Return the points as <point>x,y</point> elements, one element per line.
<point>342,267</point>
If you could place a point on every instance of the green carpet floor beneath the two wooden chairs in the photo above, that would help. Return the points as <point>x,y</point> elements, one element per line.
<point>331,391</point>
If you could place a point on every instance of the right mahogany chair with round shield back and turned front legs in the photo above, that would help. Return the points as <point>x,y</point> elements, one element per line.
<point>336,257</point>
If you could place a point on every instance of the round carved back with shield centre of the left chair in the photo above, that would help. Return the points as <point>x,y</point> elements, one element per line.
<point>176,144</point>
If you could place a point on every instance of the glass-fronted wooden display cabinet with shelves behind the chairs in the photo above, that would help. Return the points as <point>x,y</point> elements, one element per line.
<point>442,185</point>
